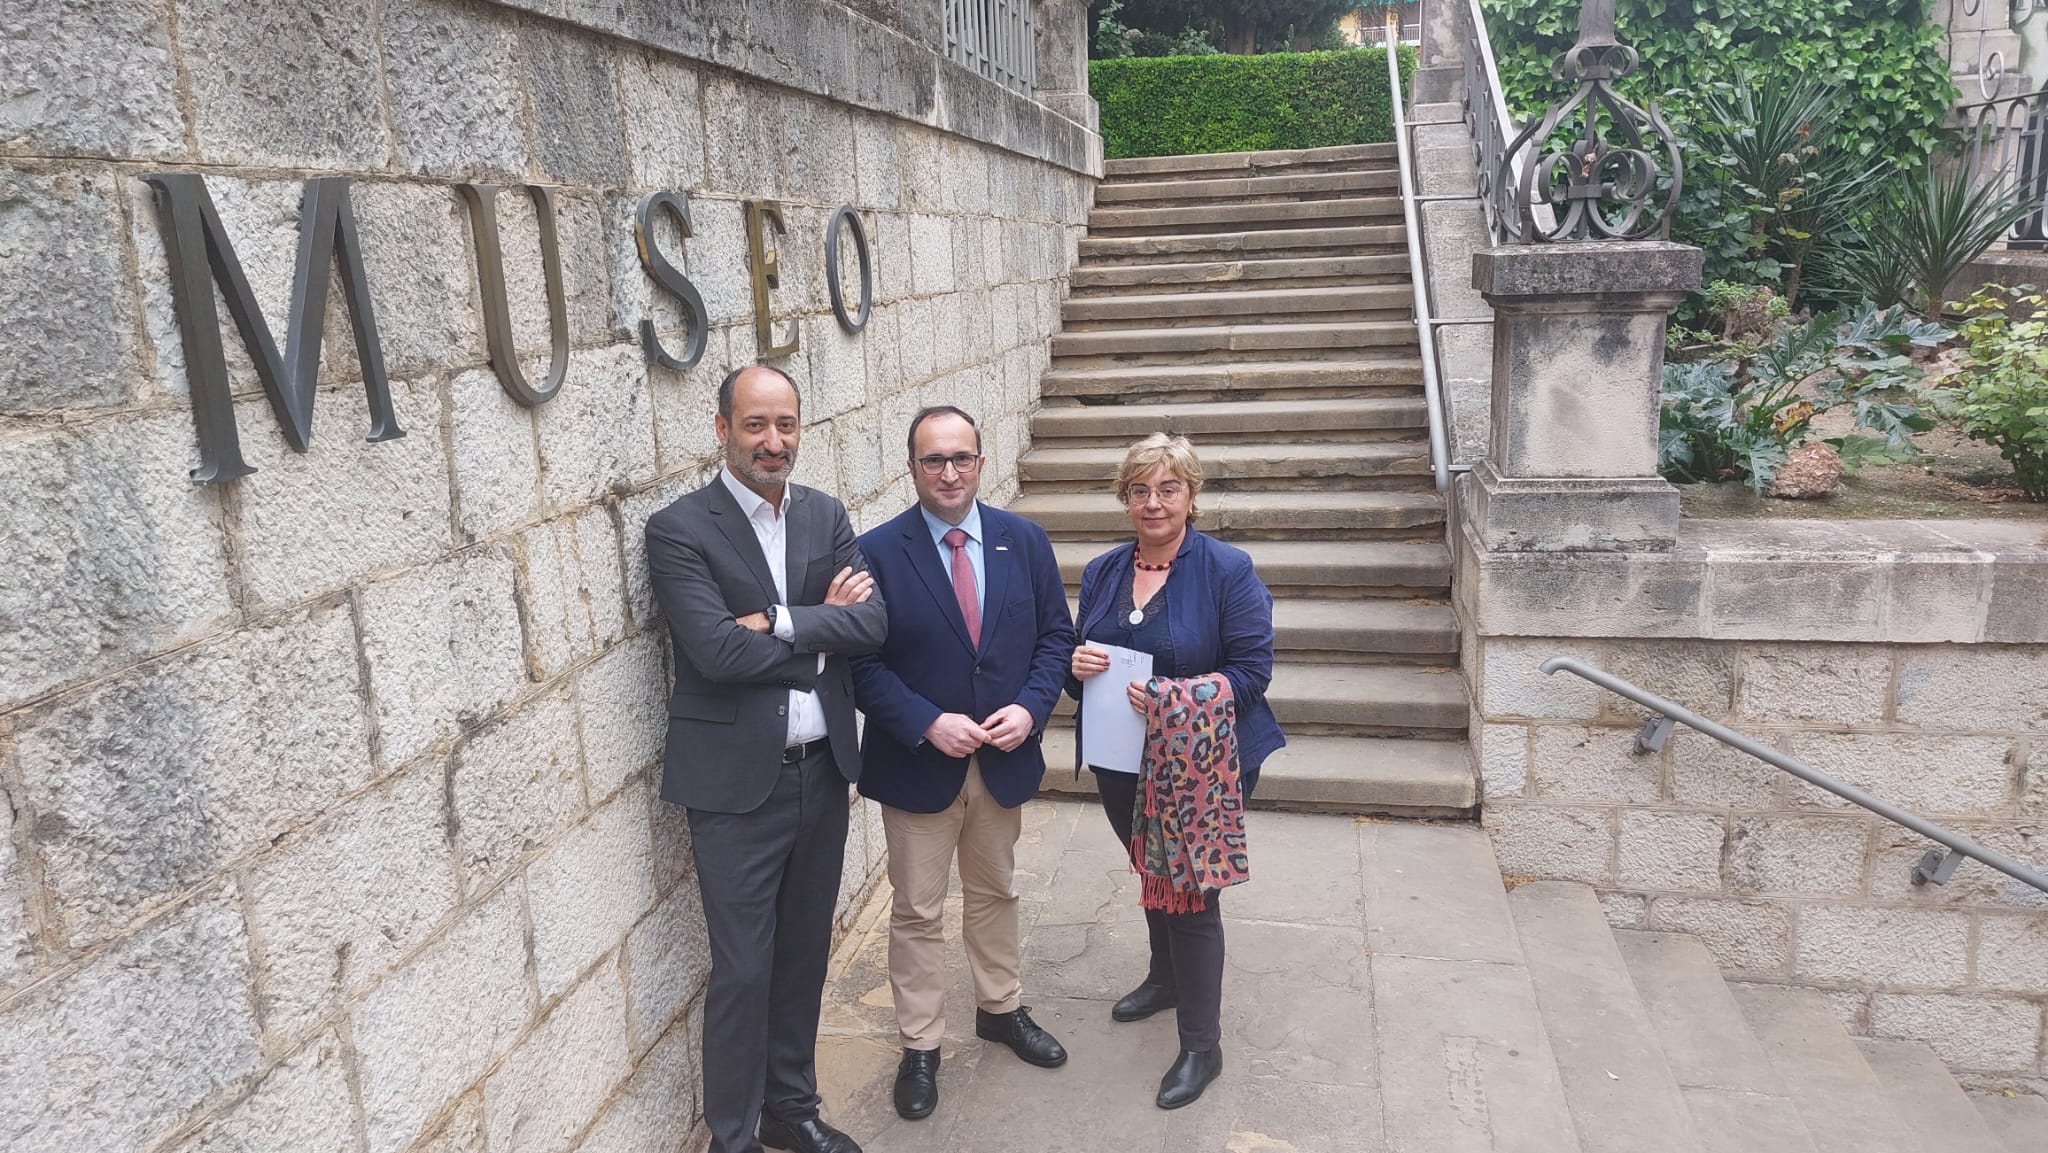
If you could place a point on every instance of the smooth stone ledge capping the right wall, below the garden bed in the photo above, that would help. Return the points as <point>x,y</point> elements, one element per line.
<point>1775,581</point>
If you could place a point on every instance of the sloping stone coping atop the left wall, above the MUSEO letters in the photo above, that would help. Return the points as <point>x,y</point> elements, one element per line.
<point>835,52</point>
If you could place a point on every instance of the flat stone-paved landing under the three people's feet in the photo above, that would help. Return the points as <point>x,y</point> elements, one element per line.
<point>1306,1011</point>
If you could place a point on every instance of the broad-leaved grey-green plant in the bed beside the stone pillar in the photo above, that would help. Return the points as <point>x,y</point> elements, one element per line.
<point>1742,419</point>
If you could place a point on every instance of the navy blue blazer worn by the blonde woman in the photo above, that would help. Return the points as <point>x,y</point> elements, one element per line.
<point>1222,617</point>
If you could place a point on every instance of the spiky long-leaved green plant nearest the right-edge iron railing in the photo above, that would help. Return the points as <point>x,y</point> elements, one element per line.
<point>1926,230</point>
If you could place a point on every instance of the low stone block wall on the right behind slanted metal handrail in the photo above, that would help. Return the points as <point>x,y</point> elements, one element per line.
<point>1783,882</point>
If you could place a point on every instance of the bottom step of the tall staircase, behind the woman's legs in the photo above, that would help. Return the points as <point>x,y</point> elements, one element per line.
<point>1398,777</point>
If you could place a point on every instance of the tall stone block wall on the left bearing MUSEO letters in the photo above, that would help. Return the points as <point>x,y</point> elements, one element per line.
<point>331,814</point>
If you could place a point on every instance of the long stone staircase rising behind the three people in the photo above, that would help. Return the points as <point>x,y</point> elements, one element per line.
<point>1261,306</point>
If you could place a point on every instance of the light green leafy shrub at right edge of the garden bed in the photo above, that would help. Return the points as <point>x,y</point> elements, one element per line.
<point>2000,392</point>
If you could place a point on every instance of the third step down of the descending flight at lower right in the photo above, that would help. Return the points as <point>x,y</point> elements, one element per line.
<point>1822,1070</point>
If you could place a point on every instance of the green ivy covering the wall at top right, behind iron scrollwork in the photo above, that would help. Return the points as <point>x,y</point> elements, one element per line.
<point>1883,54</point>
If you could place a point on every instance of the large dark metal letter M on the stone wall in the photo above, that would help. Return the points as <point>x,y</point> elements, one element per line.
<point>196,241</point>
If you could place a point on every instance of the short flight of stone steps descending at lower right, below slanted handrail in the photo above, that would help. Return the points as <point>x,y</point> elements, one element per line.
<point>1644,1048</point>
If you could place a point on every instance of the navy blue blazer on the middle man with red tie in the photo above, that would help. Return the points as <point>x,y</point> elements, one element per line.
<point>929,665</point>
